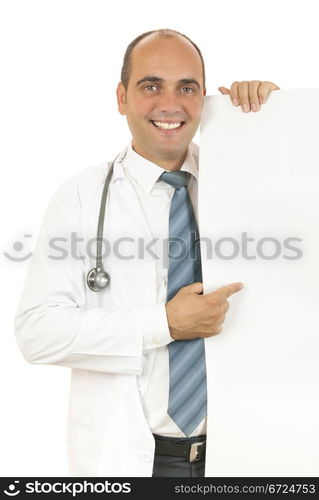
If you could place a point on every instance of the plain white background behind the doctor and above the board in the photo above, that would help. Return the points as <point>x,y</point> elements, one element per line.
<point>60,64</point>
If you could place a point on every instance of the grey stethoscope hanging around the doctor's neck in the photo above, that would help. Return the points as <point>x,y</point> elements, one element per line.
<point>97,278</point>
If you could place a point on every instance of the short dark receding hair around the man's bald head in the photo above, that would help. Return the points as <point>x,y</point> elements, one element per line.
<point>127,61</point>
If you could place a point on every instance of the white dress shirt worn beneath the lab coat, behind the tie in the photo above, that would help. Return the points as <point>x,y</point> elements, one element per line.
<point>155,197</point>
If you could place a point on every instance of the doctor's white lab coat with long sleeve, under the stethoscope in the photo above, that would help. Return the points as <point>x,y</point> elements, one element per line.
<point>60,321</point>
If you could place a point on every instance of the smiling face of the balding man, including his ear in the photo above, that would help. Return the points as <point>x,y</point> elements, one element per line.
<point>166,87</point>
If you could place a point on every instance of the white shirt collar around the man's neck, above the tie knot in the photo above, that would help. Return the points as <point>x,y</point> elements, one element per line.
<point>146,173</point>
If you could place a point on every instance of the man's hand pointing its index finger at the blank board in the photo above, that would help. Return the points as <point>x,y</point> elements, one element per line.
<point>191,315</point>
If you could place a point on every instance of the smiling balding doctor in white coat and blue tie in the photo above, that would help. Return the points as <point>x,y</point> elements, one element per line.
<point>138,387</point>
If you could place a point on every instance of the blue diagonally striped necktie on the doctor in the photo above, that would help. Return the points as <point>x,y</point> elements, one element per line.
<point>187,404</point>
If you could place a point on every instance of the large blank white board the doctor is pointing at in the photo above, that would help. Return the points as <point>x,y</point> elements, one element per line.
<point>259,224</point>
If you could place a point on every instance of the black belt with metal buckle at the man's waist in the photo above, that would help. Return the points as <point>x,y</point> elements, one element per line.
<point>192,452</point>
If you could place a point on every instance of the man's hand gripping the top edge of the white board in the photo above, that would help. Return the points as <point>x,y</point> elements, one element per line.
<point>249,95</point>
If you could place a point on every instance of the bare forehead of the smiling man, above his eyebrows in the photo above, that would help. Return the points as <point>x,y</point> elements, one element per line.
<point>165,57</point>
